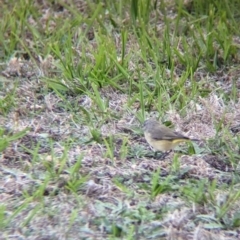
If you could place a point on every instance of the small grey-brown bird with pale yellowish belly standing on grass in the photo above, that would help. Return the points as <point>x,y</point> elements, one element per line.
<point>162,138</point>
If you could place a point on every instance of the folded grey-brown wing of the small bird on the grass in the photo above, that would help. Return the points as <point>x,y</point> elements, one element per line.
<point>160,134</point>
